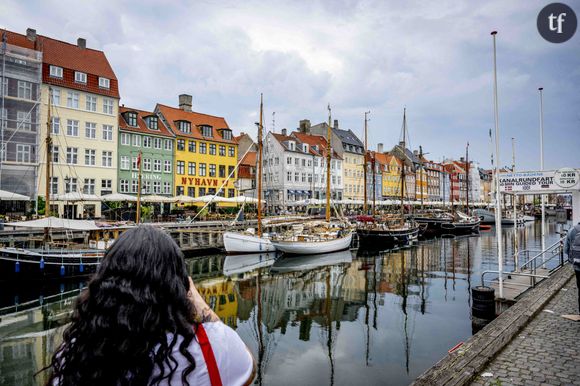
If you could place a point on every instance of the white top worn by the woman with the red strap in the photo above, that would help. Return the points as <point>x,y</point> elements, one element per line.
<point>235,363</point>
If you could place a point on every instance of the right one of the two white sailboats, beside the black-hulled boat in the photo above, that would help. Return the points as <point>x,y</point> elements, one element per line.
<point>318,237</point>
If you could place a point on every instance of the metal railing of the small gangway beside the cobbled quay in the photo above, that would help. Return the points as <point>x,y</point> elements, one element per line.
<point>533,264</point>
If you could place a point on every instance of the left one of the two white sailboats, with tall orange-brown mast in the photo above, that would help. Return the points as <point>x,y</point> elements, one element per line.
<point>252,241</point>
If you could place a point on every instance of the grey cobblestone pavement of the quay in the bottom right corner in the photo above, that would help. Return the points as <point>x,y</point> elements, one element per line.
<point>545,352</point>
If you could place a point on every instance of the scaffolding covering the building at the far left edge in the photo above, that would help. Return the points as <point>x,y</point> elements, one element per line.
<point>20,96</point>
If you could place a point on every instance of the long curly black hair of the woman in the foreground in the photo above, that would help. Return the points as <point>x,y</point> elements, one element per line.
<point>119,328</point>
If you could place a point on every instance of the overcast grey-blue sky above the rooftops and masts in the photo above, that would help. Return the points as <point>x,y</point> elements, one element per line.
<point>434,57</point>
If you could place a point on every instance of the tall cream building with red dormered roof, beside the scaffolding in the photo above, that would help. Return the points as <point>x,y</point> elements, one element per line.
<point>84,108</point>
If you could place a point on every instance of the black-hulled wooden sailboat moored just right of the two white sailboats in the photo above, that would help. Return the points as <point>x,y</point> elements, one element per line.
<point>387,231</point>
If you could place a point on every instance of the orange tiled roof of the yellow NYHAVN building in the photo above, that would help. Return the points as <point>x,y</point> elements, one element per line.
<point>173,115</point>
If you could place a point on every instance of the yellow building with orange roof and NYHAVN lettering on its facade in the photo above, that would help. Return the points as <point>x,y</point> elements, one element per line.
<point>205,151</point>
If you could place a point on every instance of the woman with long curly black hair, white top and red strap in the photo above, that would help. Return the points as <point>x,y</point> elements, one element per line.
<point>142,322</point>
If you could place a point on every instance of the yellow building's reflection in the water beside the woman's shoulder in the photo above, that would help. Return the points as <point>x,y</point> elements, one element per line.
<point>219,294</point>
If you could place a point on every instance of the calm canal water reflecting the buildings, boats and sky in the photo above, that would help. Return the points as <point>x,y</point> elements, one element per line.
<point>338,319</point>
